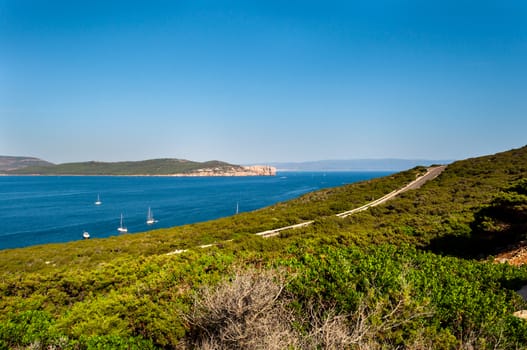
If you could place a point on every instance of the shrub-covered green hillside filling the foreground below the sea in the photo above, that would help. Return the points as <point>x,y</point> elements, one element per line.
<point>416,272</point>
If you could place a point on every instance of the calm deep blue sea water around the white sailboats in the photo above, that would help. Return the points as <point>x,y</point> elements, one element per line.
<point>44,209</point>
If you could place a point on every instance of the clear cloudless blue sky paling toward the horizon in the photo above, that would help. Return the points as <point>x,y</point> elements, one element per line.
<point>262,80</point>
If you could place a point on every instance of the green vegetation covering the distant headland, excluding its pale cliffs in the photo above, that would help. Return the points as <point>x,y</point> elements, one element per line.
<point>146,167</point>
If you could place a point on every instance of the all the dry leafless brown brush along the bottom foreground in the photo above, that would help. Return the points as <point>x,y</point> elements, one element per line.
<point>253,311</point>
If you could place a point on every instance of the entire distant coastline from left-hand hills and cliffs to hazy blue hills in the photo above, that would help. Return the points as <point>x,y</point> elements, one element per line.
<point>184,168</point>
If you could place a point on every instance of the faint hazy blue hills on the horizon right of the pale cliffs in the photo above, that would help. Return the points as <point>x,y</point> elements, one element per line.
<point>357,164</point>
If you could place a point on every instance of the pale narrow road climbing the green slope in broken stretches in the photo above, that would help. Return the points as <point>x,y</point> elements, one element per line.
<point>431,173</point>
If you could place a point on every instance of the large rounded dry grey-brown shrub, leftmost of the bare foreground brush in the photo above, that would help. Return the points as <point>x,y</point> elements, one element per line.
<point>248,312</point>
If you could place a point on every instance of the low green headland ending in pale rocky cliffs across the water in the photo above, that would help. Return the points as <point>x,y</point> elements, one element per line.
<point>165,166</point>
